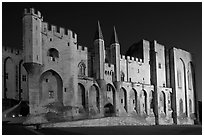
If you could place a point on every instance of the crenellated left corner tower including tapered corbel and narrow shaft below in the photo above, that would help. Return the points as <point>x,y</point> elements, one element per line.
<point>32,48</point>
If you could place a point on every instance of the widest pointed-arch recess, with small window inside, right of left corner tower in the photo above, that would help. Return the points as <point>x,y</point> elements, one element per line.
<point>50,87</point>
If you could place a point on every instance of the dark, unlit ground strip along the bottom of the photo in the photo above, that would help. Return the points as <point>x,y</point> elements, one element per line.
<point>11,129</point>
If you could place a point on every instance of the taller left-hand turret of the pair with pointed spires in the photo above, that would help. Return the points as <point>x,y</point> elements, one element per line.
<point>99,54</point>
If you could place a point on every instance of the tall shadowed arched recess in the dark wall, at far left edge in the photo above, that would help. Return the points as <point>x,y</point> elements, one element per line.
<point>9,79</point>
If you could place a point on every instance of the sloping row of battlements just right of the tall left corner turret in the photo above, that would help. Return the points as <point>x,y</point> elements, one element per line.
<point>58,31</point>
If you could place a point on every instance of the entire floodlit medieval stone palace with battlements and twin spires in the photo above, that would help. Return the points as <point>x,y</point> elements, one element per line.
<point>57,76</point>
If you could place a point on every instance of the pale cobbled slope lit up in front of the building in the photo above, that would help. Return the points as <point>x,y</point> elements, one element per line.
<point>108,121</point>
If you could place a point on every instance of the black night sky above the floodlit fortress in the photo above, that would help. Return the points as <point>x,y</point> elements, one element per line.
<point>171,24</point>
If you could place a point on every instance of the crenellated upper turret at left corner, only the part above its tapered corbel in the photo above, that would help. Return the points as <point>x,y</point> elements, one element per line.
<point>32,39</point>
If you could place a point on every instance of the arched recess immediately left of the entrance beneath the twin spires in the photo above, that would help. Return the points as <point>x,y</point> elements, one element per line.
<point>94,99</point>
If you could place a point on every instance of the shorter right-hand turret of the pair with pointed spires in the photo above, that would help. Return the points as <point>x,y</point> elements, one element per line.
<point>115,55</point>
